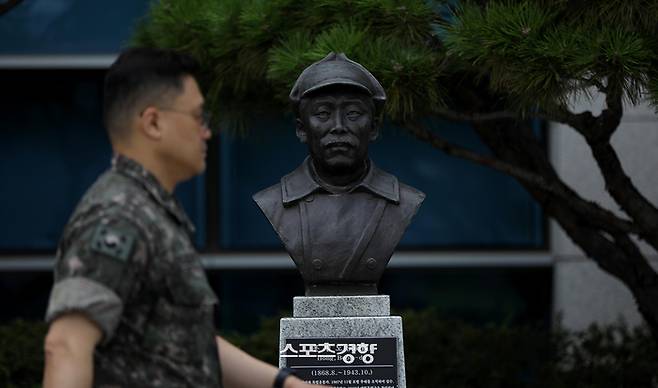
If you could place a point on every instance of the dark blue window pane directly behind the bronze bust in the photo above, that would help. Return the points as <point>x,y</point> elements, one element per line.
<point>467,206</point>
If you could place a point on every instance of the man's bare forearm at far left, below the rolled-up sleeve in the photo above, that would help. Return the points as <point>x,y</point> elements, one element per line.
<point>69,349</point>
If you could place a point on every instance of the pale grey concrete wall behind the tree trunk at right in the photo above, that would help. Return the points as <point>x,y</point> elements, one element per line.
<point>582,292</point>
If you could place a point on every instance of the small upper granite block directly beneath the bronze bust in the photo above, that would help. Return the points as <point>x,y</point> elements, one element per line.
<point>341,306</point>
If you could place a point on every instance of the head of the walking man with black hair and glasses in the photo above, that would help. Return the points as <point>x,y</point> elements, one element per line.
<point>154,112</point>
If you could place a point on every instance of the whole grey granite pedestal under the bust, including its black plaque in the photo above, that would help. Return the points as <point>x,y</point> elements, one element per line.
<point>344,341</point>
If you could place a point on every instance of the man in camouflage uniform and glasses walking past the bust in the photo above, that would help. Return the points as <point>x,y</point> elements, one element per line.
<point>131,305</point>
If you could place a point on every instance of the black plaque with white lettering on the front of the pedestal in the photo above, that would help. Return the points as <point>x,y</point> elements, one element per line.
<point>344,362</point>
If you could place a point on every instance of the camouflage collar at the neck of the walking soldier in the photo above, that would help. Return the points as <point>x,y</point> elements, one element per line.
<point>130,168</point>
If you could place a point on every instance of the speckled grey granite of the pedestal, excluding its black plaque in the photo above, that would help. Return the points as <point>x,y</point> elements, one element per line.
<point>343,317</point>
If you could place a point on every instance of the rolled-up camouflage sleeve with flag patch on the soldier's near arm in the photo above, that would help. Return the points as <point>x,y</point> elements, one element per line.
<point>96,271</point>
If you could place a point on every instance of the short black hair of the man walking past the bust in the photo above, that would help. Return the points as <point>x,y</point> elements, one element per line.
<point>142,76</point>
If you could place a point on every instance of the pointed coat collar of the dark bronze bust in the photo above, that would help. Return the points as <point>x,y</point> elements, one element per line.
<point>300,183</point>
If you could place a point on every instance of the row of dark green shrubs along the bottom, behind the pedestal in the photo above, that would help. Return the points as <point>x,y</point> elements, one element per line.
<point>439,353</point>
